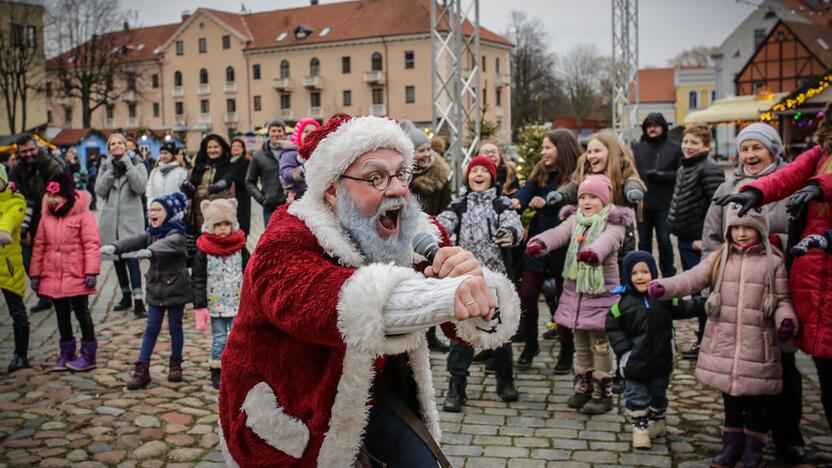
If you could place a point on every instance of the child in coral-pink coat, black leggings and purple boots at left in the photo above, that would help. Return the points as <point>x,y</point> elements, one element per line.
<point>65,266</point>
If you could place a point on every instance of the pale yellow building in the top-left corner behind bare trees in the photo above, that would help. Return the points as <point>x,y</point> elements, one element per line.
<point>21,34</point>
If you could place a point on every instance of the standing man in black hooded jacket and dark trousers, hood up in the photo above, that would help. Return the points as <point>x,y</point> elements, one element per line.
<point>657,160</point>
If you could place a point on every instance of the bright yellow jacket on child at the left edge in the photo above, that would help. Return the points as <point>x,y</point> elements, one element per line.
<point>12,208</point>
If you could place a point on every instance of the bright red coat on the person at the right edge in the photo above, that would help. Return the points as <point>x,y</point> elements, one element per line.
<point>811,274</point>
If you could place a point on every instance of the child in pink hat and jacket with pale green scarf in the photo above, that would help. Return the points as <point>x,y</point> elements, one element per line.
<point>594,232</point>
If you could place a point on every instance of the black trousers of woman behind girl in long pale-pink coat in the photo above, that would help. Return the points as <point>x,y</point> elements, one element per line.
<point>787,407</point>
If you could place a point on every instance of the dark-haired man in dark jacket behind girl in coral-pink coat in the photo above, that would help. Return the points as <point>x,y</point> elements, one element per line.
<point>33,170</point>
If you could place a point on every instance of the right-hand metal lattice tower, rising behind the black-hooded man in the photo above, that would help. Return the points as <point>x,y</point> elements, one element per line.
<point>625,68</point>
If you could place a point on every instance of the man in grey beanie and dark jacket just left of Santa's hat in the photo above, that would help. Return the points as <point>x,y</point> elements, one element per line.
<point>265,168</point>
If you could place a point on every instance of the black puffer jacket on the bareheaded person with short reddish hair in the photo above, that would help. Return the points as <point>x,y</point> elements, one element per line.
<point>696,181</point>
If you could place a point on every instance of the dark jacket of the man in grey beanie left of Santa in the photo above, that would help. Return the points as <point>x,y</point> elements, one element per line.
<point>265,168</point>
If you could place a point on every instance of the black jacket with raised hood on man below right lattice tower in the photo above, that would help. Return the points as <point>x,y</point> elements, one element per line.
<point>657,160</point>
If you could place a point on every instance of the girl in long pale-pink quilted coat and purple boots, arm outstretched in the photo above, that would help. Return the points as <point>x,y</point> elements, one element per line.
<point>749,312</point>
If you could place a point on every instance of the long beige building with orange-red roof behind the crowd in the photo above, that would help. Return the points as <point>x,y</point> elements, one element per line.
<point>220,72</point>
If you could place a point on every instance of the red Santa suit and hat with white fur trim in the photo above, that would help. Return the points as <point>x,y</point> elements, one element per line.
<point>312,330</point>
